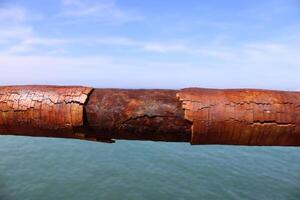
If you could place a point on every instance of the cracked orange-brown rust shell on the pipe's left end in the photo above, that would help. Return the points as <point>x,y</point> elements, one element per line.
<point>42,110</point>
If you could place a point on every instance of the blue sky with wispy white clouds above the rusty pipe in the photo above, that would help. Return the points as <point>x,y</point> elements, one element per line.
<point>151,44</point>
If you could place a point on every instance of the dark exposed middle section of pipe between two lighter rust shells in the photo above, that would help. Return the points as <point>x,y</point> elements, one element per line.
<point>137,115</point>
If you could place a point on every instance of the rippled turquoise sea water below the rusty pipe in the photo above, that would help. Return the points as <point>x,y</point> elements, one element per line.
<point>43,168</point>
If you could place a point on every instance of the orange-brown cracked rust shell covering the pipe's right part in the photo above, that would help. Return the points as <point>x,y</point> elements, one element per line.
<point>242,116</point>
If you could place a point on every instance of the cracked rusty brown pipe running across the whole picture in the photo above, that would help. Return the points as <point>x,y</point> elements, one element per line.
<point>195,115</point>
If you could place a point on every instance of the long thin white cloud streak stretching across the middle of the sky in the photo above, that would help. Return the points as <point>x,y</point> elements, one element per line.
<point>268,53</point>
